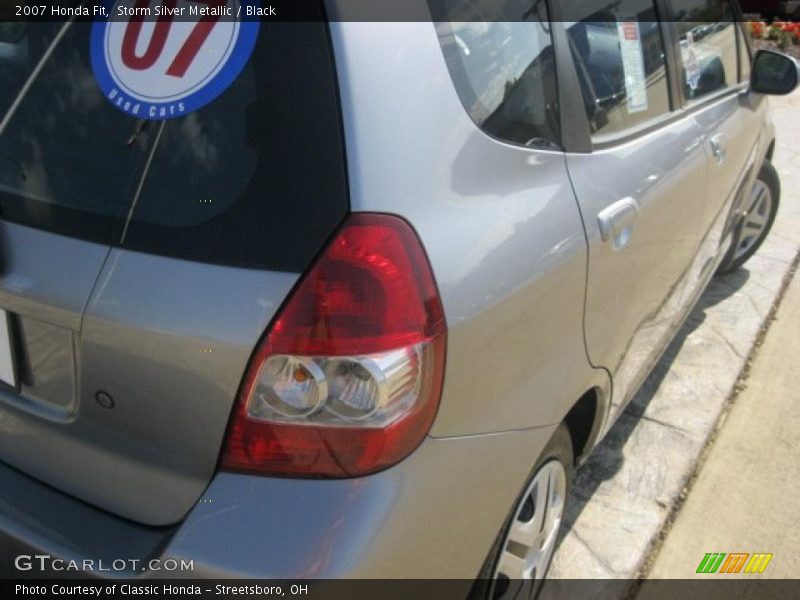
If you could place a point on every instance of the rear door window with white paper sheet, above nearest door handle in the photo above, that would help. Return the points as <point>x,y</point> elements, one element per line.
<point>619,54</point>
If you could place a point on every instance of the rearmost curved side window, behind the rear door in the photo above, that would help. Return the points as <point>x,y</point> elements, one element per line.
<point>504,72</point>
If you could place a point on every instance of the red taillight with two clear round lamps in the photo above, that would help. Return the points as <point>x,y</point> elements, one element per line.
<point>347,380</point>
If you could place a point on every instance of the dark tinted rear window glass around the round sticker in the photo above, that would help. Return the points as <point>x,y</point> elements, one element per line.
<point>253,178</point>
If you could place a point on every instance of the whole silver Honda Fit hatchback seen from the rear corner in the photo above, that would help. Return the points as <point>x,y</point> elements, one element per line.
<point>349,299</point>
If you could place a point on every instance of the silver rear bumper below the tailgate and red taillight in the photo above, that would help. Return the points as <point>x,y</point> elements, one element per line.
<point>435,515</point>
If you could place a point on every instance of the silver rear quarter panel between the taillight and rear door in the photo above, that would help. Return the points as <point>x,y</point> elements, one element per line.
<point>499,223</point>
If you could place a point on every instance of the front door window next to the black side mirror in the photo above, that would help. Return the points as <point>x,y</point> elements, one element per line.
<point>708,46</point>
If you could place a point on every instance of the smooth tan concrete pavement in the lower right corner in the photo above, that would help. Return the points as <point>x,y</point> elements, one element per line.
<point>745,498</point>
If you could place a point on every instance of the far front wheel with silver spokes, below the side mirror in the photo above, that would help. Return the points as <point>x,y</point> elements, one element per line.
<point>755,225</point>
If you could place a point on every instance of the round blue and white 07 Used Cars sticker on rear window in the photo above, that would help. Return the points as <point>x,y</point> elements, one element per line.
<point>165,59</point>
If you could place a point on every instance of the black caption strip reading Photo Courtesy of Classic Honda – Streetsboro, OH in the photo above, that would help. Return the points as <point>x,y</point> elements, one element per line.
<point>715,587</point>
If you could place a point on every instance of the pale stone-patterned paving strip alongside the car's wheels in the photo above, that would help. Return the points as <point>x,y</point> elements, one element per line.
<point>625,494</point>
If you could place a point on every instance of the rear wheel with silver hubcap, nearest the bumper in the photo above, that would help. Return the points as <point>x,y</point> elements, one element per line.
<point>527,565</point>
